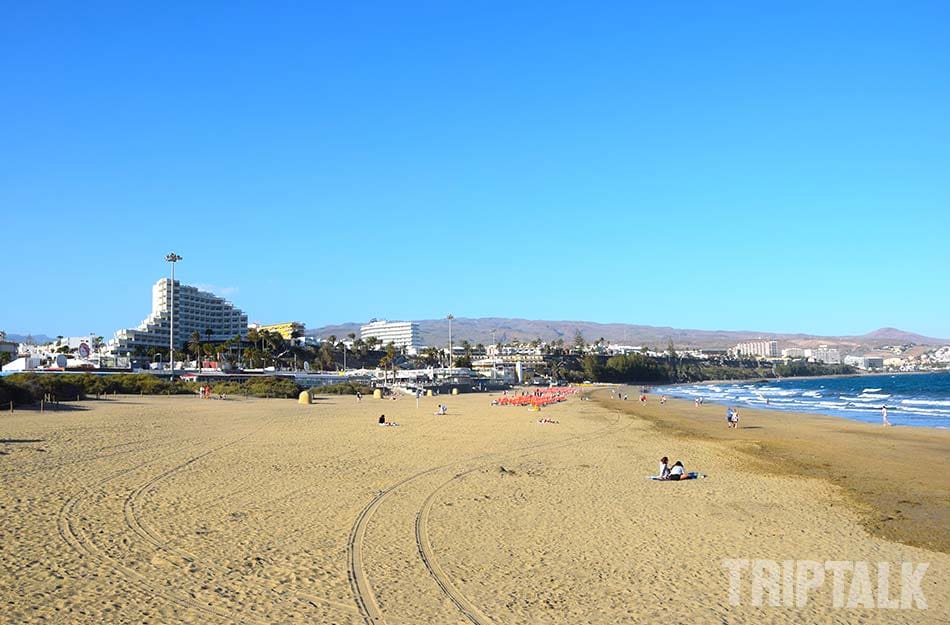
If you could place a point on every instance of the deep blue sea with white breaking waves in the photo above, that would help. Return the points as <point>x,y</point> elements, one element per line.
<point>921,400</point>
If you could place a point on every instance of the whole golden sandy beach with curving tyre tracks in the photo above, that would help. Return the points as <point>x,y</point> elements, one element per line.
<point>179,510</point>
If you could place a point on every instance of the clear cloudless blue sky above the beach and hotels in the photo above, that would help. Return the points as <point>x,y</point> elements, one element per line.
<point>763,166</point>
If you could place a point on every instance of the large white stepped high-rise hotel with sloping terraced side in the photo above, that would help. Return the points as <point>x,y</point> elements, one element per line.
<point>195,311</point>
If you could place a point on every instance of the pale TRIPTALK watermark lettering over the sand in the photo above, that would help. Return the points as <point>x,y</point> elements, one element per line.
<point>853,583</point>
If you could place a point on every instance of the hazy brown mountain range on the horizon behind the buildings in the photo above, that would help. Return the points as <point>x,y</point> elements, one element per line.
<point>436,331</point>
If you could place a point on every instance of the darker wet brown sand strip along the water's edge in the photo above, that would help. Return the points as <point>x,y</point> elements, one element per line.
<point>897,477</point>
